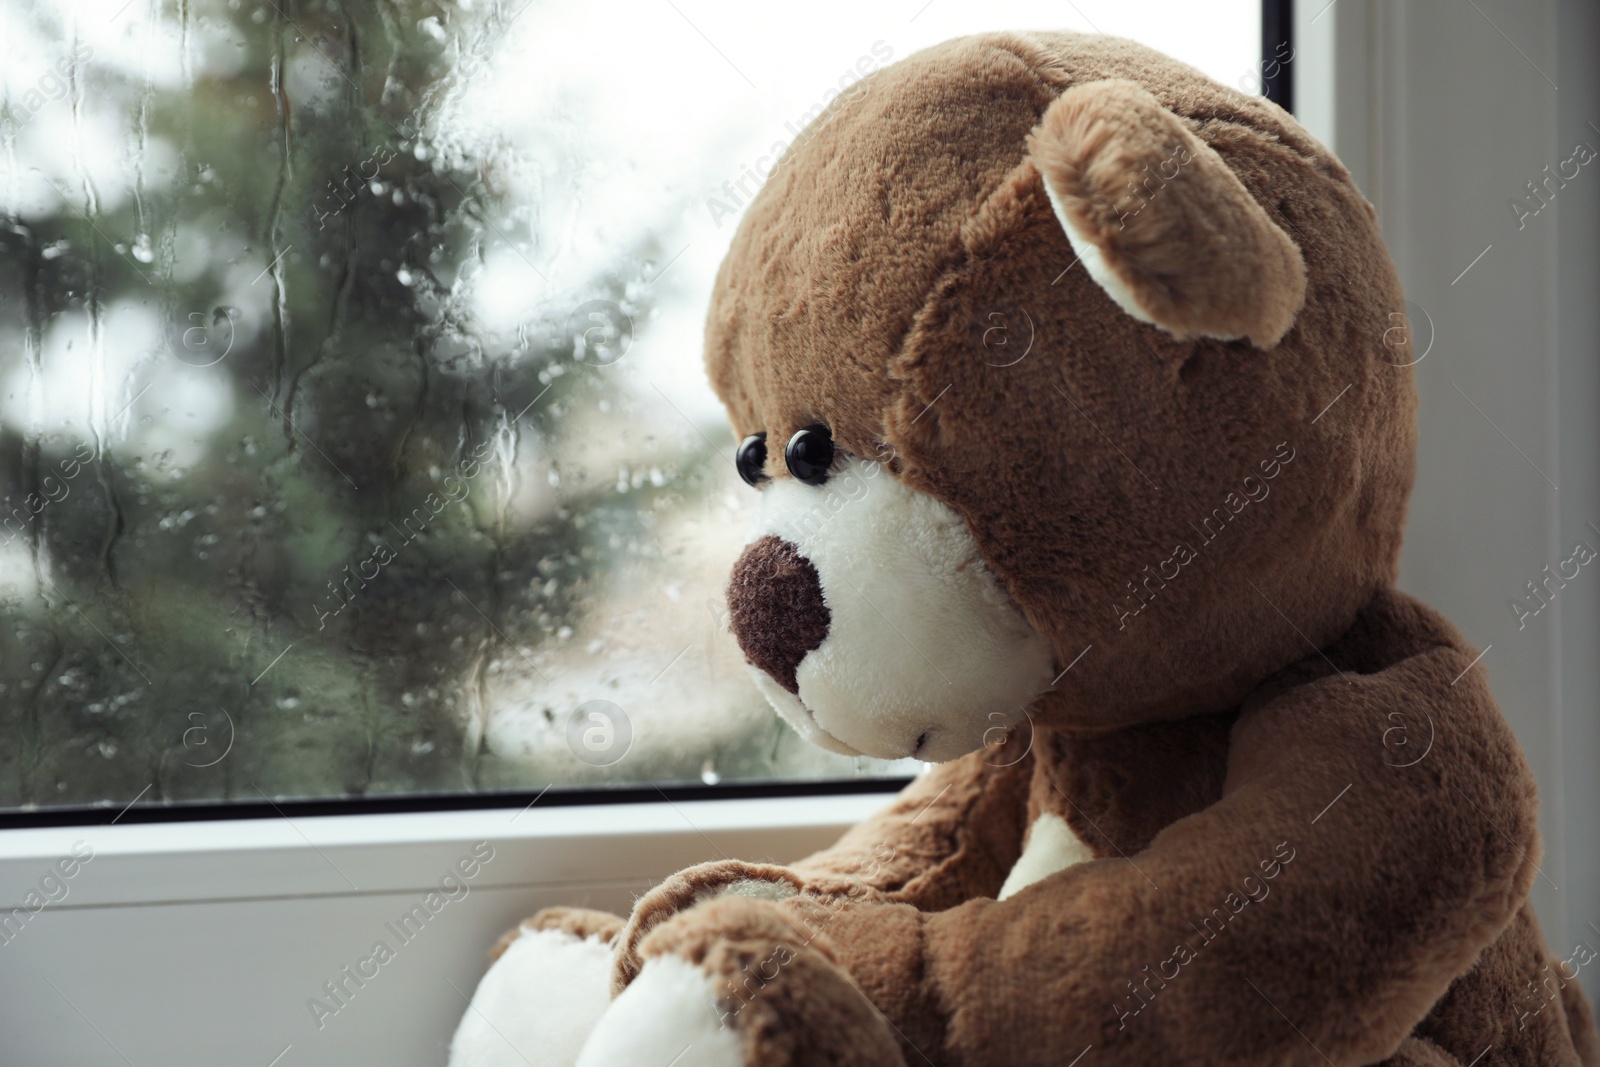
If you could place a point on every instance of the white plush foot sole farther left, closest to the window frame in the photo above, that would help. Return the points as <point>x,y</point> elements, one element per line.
<point>540,1001</point>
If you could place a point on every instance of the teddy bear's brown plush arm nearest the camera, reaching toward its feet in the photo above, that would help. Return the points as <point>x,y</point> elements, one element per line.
<point>1314,913</point>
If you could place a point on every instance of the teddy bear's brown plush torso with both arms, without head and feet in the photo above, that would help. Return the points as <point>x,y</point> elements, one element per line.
<point>1194,956</point>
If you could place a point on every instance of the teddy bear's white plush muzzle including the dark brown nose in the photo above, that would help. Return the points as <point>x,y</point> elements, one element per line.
<point>871,623</point>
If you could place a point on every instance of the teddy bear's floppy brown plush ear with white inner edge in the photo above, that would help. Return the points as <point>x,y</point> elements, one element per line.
<point>1161,222</point>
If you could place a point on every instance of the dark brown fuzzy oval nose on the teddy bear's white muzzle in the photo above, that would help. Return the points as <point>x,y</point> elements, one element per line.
<point>777,609</point>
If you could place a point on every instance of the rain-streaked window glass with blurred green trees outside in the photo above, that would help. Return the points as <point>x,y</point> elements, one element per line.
<point>354,438</point>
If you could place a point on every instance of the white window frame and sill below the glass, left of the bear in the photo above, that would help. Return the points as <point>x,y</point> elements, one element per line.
<point>202,943</point>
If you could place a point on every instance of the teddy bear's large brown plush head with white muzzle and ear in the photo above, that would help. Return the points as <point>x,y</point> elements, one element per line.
<point>1070,382</point>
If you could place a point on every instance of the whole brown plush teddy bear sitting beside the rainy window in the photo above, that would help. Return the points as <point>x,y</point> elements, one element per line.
<point>1082,460</point>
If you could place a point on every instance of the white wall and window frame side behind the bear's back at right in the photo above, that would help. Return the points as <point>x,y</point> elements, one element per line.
<point>1444,111</point>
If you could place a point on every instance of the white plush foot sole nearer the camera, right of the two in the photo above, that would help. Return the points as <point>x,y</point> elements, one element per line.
<point>670,1015</point>
